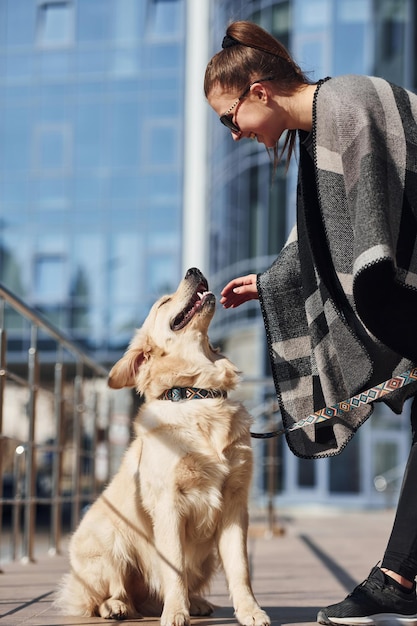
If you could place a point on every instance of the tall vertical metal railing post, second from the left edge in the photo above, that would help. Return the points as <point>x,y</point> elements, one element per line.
<point>30,478</point>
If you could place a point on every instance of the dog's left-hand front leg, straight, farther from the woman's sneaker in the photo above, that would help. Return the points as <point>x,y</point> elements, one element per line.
<point>169,536</point>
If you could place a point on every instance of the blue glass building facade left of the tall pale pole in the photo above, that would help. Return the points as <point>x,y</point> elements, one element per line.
<point>91,141</point>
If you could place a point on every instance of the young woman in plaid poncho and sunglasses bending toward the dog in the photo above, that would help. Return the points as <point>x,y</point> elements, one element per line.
<point>340,301</point>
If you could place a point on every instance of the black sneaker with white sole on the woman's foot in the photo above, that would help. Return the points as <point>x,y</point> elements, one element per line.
<point>373,602</point>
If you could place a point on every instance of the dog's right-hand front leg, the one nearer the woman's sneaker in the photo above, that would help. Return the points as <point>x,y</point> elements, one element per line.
<point>234,556</point>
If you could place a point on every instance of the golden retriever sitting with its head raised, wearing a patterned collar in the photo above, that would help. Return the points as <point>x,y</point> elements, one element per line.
<point>178,506</point>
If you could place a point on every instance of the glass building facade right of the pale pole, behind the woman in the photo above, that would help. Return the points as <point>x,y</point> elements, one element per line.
<point>251,216</point>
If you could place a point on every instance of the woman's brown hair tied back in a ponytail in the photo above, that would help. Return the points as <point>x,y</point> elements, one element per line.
<point>250,52</point>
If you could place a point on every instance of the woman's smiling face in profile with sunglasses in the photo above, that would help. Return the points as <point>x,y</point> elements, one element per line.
<point>256,114</point>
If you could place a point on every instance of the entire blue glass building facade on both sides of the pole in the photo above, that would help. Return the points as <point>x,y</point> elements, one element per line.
<point>91,185</point>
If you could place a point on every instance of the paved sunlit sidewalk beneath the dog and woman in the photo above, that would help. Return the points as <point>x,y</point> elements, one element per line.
<point>315,562</point>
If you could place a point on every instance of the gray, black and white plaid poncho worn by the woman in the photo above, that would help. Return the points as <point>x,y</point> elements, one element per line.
<point>340,301</point>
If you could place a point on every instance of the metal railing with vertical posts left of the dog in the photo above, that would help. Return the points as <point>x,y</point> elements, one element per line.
<point>55,413</point>
